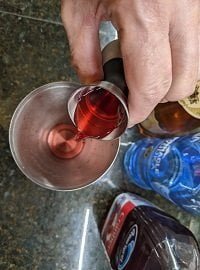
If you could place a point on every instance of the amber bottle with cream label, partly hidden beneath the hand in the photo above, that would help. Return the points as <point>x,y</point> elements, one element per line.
<point>174,118</point>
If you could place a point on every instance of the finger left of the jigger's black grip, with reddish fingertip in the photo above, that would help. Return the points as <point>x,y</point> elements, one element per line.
<point>82,30</point>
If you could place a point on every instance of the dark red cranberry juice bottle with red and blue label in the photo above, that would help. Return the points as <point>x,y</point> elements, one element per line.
<point>139,236</point>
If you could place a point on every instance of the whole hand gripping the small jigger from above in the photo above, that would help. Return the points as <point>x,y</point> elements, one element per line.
<point>160,44</point>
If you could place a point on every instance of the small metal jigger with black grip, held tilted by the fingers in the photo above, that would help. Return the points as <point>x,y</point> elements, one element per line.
<point>114,82</point>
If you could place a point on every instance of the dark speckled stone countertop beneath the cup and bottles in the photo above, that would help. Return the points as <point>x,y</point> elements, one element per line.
<point>43,229</point>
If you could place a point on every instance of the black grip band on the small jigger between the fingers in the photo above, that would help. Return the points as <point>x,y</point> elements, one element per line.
<point>114,73</point>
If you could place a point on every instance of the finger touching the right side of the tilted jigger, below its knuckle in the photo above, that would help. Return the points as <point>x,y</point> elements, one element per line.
<point>147,64</point>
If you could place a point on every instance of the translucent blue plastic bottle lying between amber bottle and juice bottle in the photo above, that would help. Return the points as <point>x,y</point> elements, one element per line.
<point>170,167</point>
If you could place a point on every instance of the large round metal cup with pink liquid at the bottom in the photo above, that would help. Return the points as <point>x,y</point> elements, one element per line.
<point>42,141</point>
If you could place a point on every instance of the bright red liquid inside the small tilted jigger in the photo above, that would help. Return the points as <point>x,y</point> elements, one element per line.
<point>98,113</point>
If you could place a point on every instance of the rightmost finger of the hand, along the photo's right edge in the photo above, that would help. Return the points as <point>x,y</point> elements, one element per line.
<point>184,44</point>
